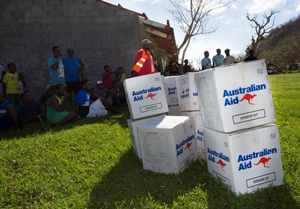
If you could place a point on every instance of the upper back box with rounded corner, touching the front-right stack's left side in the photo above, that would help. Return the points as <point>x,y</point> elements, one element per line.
<point>188,94</point>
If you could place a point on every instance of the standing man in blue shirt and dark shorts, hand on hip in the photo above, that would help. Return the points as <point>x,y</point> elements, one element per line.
<point>73,69</point>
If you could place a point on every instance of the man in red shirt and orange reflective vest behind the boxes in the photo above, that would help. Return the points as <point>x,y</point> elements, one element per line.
<point>148,67</point>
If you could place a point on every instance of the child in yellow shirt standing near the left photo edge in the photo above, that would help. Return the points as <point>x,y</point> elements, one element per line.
<point>10,85</point>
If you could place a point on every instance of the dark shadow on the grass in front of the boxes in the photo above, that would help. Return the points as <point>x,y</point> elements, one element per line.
<point>127,185</point>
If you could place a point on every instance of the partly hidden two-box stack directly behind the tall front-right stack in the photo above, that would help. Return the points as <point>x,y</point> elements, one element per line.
<point>190,106</point>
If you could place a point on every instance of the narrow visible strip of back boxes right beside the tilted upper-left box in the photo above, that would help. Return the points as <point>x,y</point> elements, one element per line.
<point>172,94</point>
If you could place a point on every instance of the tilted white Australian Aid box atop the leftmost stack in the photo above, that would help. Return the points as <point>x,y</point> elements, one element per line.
<point>145,96</point>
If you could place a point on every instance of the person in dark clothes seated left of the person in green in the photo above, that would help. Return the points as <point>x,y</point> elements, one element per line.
<point>30,110</point>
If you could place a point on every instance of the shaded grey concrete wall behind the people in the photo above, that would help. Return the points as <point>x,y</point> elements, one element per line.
<point>99,34</point>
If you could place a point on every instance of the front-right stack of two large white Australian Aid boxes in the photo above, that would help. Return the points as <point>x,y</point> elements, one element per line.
<point>236,103</point>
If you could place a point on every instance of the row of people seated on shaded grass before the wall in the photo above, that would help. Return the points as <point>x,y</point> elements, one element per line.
<point>53,108</point>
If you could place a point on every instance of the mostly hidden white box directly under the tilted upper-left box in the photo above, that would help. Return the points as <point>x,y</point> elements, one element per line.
<point>132,125</point>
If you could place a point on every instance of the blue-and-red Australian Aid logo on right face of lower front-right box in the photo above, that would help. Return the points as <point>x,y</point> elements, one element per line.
<point>245,161</point>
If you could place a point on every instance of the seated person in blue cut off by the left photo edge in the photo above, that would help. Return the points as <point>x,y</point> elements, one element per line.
<point>8,117</point>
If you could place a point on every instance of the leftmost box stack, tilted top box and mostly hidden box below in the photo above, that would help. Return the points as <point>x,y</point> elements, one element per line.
<point>146,100</point>
